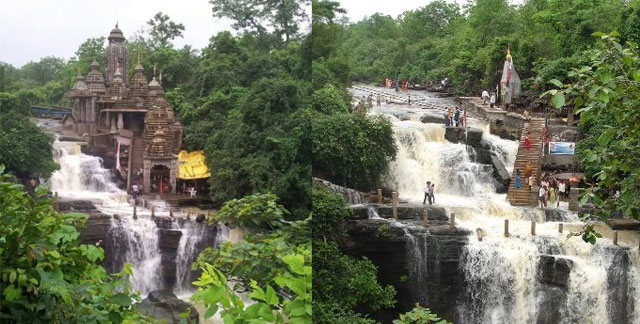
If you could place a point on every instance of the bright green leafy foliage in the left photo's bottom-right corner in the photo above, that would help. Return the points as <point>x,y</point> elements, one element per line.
<point>274,252</point>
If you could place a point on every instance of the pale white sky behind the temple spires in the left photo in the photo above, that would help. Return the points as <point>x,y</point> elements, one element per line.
<point>32,29</point>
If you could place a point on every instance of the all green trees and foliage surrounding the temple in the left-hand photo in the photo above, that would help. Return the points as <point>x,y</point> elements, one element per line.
<point>245,100</point>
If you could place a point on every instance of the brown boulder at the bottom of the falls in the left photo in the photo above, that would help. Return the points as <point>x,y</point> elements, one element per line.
<point>164,305</point>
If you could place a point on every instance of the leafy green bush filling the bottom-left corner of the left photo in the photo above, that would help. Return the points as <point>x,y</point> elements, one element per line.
<point>47,275</point>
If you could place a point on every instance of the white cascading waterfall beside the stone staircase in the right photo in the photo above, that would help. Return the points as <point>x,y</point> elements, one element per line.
<point>502,275</point>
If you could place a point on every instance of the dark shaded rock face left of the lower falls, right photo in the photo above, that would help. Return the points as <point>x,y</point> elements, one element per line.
<point>422,264</point>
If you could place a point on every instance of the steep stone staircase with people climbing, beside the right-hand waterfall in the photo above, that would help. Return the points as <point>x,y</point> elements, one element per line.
<point>523,195</point>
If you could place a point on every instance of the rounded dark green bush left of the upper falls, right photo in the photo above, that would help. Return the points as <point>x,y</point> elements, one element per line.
<point>352,151</point>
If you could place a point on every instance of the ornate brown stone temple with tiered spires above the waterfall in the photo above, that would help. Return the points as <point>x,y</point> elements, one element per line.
<point>128,119</point>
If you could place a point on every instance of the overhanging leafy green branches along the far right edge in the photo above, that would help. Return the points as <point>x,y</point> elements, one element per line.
<point>603,92</point>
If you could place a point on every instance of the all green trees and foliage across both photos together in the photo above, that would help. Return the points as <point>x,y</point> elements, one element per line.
<point>268,105</point>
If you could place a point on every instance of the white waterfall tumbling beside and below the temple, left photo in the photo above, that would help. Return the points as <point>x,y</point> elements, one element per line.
<point>135,241</point>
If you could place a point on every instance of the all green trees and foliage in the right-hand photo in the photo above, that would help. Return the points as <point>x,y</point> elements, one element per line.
<point>583,54</point>
